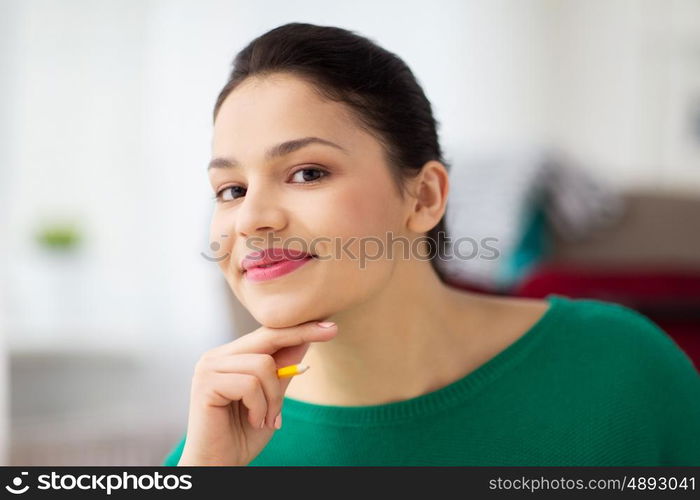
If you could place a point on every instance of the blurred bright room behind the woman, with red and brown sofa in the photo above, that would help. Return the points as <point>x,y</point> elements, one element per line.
<point>572,128</point>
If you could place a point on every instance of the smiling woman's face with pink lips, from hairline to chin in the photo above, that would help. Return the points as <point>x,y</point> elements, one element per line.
<point>284,197</point>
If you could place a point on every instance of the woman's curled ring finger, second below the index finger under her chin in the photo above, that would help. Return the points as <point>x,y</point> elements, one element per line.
<point>225,388</point>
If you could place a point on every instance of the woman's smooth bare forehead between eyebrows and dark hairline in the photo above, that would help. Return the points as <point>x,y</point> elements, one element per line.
<point>262,111</point>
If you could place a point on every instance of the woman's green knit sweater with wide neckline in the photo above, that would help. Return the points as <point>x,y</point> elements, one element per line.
<point>592,383</point>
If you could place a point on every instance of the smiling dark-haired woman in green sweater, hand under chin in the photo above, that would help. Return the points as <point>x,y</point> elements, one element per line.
<point>321,137</point>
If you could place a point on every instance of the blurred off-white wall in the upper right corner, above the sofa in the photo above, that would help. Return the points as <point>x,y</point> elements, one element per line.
<point>625,74</point>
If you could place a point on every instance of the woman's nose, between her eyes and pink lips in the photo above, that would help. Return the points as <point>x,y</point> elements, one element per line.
<point>259,213</point>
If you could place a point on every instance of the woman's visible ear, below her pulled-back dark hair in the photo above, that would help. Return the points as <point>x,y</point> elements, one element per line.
<point>429,190</point>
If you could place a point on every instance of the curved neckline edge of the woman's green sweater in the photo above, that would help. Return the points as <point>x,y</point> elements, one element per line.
<point>439,399</point>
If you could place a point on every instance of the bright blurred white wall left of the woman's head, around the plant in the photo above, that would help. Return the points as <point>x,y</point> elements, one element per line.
<point>105,131</point>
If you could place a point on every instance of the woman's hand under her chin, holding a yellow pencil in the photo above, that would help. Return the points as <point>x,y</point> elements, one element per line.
<point>235,390</point>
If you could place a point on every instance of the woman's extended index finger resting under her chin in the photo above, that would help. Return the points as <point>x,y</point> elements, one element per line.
<point>270,340</point>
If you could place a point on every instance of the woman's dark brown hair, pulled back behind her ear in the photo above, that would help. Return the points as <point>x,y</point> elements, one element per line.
<point>377,86</point>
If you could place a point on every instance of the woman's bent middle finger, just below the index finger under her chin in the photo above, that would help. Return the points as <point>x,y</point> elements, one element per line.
<point>264,367</point>
